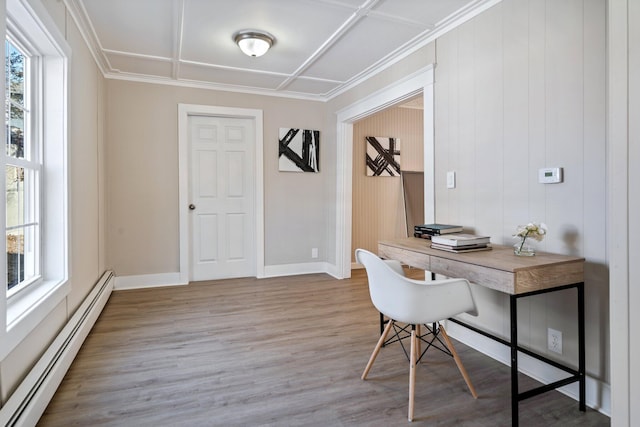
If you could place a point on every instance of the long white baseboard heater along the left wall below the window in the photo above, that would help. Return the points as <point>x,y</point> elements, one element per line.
<point>29,401</point>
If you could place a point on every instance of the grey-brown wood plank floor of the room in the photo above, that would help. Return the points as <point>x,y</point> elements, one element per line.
<point>275,352</point>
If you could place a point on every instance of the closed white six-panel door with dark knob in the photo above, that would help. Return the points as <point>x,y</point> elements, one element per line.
<point>221,197</point>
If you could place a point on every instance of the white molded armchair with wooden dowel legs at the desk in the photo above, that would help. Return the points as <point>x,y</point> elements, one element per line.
<point>414,302</point>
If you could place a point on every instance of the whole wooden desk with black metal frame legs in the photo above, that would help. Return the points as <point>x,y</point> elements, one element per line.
<point>501,270</point>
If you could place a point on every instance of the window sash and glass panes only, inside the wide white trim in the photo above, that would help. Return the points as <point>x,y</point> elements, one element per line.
<point>22,172</point>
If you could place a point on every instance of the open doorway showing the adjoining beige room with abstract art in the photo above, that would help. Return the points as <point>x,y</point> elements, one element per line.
<point>388,161</point>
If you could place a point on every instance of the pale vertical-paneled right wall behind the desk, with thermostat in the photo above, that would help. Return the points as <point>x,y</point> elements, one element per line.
<point>518,88</point>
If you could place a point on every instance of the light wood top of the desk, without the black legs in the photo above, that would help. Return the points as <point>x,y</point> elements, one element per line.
<point>498,268</point>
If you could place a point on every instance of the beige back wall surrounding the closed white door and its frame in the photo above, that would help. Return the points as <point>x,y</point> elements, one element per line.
<point>142,176</point>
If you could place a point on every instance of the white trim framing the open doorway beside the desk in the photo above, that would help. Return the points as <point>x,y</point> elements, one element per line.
<point>416,83</point>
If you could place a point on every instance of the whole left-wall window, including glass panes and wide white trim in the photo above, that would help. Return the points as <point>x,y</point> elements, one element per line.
<point>35,214</point>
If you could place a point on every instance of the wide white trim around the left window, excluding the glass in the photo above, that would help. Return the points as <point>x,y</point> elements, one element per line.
<point>24,311</point>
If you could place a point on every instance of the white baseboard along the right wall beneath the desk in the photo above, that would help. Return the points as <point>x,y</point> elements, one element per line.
<point>598,393</point>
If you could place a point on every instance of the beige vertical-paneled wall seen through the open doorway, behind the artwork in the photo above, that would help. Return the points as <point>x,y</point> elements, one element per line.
<point>378,210</point>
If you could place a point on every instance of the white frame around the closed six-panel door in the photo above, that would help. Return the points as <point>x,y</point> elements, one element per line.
<point>184,111</point>
